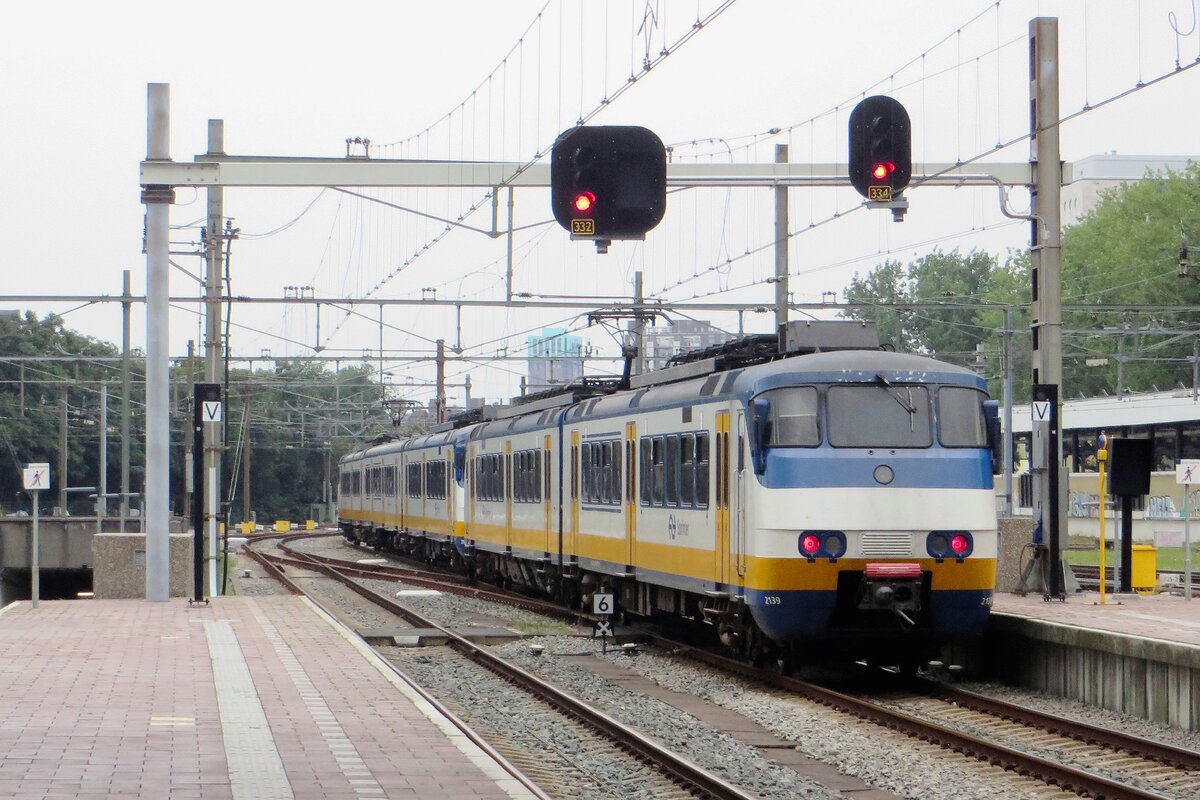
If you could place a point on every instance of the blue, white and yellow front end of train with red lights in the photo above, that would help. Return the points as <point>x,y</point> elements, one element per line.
<point>871,515</point>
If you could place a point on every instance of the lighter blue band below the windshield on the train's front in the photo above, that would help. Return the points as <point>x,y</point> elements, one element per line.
<point>829,467</point>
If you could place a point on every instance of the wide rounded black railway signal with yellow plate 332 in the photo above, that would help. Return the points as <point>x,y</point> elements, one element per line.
<point>609,183</point>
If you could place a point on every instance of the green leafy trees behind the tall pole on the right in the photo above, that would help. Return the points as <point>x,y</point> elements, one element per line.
<point>1125,254</point>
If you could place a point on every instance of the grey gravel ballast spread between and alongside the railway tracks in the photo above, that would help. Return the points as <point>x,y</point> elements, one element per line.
<point>880,757</point>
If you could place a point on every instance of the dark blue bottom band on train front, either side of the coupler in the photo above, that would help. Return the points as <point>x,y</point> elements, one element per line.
<point>802,615</point>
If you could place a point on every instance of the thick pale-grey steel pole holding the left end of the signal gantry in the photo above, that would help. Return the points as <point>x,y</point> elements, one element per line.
<point>158,488</point>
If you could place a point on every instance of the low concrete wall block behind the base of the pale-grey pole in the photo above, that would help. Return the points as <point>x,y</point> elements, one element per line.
<point>119,569</point>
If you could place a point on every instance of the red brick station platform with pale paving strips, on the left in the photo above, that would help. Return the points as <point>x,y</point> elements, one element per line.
<point>248,699</point>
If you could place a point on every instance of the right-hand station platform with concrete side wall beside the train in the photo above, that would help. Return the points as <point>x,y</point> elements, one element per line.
<point>1137,654</point>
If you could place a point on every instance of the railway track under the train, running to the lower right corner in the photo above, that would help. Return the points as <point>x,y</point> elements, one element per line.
<point>1076,757</point>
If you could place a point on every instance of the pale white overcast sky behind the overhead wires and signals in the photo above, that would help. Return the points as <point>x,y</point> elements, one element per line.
<point>287,82</point>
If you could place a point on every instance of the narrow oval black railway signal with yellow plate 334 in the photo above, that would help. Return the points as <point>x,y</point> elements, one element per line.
<point>880,149</point>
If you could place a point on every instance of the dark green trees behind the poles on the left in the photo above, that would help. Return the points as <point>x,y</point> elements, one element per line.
<point>303,418</point>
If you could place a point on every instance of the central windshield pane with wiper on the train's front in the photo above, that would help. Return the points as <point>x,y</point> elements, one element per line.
<point>880,416</point>
